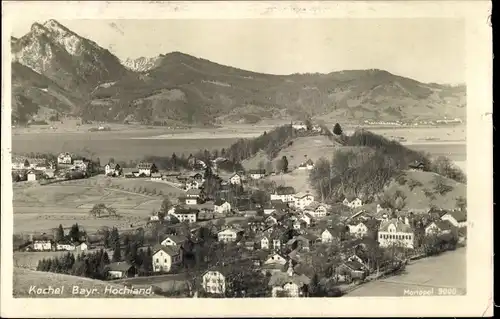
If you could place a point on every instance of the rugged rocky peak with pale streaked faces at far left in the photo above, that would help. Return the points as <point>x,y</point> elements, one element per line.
<point>73,62</point>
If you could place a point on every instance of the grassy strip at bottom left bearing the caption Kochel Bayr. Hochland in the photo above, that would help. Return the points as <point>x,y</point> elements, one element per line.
<point>24,279</point>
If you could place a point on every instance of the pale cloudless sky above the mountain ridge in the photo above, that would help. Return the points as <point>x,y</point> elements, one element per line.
<point>425,49</point>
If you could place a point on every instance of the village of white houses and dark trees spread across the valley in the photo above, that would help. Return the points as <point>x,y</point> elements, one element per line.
<point>295,242</point>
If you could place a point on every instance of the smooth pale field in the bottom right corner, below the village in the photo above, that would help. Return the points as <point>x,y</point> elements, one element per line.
<point>444,271</point>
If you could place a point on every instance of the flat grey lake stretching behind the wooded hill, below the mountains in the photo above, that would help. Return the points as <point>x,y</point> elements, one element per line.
<point>125,146</point>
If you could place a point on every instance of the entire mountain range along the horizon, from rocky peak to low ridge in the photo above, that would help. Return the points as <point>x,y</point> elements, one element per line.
<point>177,87</point>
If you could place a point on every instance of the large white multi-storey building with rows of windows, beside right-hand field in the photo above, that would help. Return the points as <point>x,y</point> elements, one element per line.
<point>395,232</point>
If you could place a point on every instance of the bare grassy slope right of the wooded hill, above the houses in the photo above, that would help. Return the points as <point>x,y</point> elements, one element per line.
<point>421,192</point>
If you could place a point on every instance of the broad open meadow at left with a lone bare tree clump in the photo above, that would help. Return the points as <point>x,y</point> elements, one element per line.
<point>41,208</point>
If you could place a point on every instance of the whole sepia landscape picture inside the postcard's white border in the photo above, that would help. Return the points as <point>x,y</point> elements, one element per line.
<point>268,158</point>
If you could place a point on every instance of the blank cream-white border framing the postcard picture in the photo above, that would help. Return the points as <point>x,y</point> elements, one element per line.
<point>478,301</point>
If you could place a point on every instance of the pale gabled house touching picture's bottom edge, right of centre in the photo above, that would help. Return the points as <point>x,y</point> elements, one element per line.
<point>288,284</point>
